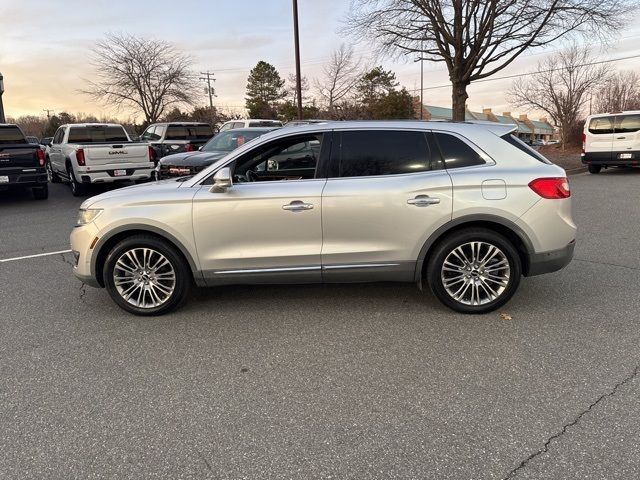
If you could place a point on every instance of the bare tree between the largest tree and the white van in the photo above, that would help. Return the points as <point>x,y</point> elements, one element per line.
<point>560,87</point>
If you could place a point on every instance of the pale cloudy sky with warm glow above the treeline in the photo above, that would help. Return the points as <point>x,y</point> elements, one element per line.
<point>45,49</point>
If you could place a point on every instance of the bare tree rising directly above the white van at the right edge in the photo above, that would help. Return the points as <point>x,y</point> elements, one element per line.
<point>620,92</point>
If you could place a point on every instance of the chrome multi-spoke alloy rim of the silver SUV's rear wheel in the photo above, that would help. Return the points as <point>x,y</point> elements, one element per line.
<point>475,273</point>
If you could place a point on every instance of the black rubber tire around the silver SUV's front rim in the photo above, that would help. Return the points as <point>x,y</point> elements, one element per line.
<point>181,269</point>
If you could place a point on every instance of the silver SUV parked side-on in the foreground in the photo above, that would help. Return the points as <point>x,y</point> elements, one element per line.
<point>467,209</point>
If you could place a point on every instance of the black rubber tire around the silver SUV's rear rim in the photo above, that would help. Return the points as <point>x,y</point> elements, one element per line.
<point>462,238</point>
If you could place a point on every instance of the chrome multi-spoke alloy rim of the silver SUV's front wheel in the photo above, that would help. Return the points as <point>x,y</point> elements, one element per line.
<point>144,277</point>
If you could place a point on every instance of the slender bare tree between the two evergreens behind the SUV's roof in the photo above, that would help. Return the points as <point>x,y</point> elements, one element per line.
<point>339,77</point>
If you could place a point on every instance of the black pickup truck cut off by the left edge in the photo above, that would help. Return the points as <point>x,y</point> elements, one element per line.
<point>21,162</point>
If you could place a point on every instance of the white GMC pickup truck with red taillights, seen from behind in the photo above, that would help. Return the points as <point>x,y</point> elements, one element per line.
<point>88,153</point>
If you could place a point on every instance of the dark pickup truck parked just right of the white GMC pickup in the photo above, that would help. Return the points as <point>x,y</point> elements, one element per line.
<point>176,137</point>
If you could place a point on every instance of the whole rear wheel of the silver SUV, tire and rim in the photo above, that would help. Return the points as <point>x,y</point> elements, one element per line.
<point>474,271</point>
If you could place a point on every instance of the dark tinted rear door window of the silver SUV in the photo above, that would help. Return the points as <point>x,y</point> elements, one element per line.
<point>369,153</point>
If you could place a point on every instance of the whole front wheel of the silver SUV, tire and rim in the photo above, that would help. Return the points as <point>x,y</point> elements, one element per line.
<point>145,275</point>
